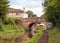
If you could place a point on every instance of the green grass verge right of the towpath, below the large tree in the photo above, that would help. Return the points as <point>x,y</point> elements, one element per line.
<point>54,35</point>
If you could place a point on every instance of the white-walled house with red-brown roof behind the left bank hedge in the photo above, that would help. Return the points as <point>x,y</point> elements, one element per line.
<point>17,13</point>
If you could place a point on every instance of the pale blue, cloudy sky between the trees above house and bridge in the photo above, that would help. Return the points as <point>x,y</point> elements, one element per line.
<point>34,5</point>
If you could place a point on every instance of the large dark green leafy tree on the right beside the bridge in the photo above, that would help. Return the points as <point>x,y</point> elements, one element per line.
<point>52,11</point>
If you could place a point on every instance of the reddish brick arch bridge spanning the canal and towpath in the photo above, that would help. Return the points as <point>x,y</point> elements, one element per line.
<point>28,22</point>
